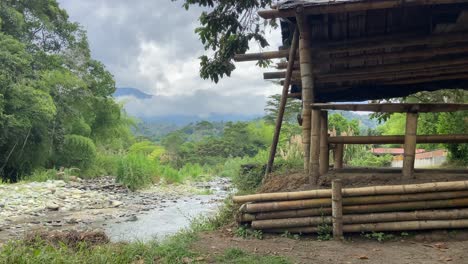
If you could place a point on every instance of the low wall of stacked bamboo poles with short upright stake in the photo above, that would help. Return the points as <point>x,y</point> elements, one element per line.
<point>441,205</point>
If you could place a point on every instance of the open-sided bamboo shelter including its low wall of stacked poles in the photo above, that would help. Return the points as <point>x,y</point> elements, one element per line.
<point>343,52</point>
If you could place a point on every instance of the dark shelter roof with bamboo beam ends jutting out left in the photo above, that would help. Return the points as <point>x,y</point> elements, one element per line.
<point>376,49</point>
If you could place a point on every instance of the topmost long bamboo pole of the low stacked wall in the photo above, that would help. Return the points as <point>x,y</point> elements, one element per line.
<point>361,191</point>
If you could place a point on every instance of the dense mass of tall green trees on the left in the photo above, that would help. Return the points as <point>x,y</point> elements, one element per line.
<point>56,104</point>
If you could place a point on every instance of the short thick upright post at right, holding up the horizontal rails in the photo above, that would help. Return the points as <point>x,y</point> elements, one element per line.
<point>410,145</point>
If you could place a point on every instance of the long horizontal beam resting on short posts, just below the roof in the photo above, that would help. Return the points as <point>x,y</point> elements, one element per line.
<point>394,108</point>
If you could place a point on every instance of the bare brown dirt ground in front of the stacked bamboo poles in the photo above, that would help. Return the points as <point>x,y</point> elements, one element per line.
<point>417,250</point>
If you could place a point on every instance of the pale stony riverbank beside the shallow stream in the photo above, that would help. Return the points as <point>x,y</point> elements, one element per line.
<point>93,204</point>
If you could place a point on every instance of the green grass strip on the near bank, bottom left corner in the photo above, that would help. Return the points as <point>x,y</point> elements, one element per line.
<point>173,250</point>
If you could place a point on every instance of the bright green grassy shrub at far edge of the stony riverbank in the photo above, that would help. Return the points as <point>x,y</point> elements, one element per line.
<point>136,171</point>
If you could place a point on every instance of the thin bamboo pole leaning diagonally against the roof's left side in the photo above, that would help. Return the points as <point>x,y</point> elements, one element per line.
<point>284,98</point>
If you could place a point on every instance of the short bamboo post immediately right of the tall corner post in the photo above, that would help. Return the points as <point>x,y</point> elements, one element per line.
<point>314,170</point>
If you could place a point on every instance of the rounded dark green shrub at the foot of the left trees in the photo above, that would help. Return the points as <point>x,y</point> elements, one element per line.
<point>77,151</point>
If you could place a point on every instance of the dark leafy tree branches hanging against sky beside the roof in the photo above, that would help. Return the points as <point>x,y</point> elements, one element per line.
<point>227,27</point>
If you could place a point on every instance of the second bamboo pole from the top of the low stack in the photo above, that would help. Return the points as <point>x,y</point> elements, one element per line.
<point>358,202</point>
